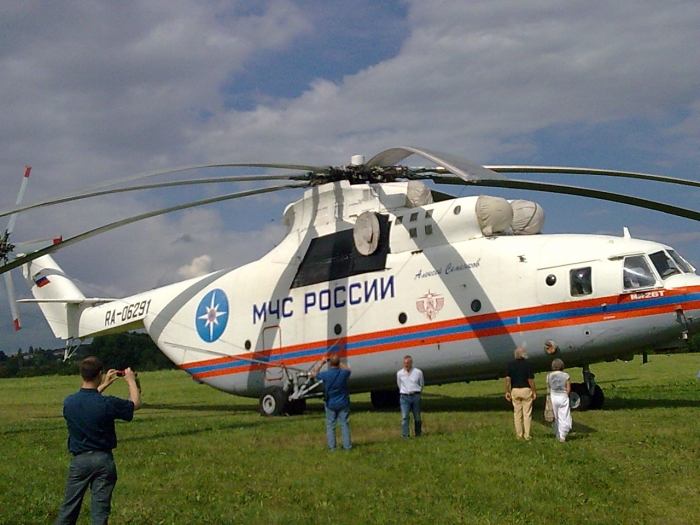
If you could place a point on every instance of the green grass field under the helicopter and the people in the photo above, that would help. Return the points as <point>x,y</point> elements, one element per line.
<point>194,455</point>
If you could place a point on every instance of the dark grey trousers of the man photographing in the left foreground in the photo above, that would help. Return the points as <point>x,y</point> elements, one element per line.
<point>98,471</point>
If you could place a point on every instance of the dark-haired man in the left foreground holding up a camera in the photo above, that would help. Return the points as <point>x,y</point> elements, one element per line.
<point>90,419</point>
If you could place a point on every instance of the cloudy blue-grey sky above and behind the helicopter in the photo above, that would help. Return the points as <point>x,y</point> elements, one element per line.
<point>96,90</point>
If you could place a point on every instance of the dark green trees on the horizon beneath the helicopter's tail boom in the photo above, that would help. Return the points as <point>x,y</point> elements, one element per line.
<point>131,349</point>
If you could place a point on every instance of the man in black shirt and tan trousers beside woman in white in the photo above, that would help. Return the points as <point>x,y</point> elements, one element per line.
<point>520,390</point>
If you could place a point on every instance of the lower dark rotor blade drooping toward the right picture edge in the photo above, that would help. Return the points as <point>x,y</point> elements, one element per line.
<point>580,192</point>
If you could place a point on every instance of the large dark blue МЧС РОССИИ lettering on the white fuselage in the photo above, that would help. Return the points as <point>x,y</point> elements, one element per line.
<point>338,296</point>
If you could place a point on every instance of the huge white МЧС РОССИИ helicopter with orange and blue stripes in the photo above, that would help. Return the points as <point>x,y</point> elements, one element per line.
<point>375,265</point>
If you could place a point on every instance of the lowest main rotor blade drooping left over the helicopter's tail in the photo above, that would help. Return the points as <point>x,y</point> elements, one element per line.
<point>102,229</point>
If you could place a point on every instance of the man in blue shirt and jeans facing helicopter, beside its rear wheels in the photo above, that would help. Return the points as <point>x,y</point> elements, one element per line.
<point>337,398</point>
